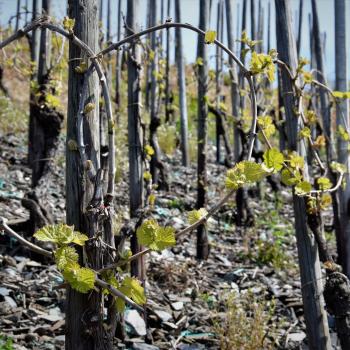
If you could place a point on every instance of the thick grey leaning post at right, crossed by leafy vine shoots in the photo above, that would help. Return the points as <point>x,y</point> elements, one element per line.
<point>309,264</point>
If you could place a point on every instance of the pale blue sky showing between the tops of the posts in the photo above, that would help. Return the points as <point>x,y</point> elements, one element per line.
<point>190,12</point>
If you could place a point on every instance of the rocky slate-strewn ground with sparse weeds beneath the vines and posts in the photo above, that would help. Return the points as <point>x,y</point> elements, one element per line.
<point>188,301</point>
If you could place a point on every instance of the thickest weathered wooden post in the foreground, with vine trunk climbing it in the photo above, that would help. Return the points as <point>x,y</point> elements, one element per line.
<point>84,312</point>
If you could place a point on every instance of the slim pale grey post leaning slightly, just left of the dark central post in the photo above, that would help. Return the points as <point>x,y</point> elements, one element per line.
<point>181,74</point>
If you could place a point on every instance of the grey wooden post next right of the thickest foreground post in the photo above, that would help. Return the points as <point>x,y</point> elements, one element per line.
<point>135,133</point>
